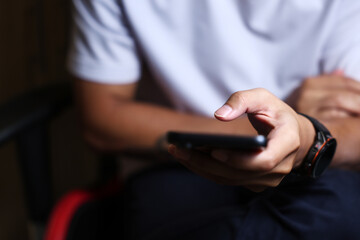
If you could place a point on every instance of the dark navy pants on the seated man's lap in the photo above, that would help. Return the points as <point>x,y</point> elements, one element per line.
<point>173,203</point>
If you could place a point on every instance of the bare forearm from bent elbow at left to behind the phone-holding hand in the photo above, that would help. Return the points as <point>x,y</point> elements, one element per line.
<point>129,125</point>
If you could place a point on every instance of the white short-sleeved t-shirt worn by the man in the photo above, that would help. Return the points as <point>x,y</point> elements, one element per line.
<point>201,51</point>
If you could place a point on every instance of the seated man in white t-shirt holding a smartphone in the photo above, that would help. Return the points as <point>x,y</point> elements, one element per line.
<point>200,53</point>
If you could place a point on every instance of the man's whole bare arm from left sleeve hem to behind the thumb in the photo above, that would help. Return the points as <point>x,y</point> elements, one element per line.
<point>112,120</point>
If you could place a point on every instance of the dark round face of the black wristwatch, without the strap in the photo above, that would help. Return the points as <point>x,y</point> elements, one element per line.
<point>324,157</point>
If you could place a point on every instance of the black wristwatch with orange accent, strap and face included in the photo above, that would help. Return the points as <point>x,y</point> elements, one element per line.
<point>321,152</point>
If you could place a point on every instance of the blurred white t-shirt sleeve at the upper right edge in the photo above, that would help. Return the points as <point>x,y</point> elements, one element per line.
<point>342,50</point>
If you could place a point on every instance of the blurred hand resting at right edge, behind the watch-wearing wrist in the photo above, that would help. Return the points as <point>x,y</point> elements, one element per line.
<point>327,97</point>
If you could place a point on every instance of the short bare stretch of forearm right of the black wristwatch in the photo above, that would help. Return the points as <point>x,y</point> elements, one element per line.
<point>347,133</point>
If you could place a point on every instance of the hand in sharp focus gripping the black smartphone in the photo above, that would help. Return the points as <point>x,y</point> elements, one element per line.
<point>289,138</point>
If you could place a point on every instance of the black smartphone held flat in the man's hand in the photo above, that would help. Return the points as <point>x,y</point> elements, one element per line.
<point>230,142</point>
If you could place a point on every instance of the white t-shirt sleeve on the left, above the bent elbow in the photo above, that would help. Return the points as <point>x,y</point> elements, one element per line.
<point>102,48</point>
